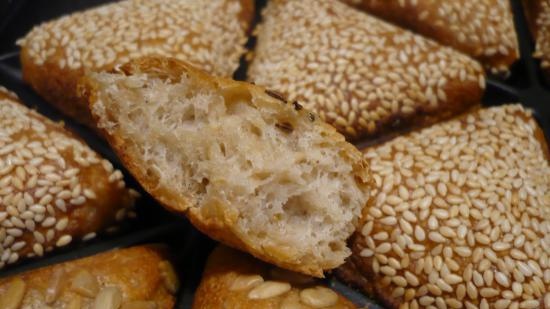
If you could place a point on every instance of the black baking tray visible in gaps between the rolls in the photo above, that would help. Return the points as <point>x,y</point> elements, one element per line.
<point>189,247</point>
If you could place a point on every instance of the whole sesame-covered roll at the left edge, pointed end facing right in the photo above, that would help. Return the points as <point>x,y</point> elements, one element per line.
<point>54,189</point>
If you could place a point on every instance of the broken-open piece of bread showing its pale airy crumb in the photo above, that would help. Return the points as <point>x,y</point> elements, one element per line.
<point>247,167</point>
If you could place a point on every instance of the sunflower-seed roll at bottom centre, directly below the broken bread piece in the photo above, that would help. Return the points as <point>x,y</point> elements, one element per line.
<point>233,279</point>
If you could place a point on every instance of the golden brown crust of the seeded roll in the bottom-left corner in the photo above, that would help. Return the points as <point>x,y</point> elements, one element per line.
<point>138,273</point>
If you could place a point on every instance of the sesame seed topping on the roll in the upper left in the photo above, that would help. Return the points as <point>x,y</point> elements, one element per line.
<point>131,35</point>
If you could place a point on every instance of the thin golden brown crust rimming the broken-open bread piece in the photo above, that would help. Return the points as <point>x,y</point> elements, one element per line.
<point>218,221</point>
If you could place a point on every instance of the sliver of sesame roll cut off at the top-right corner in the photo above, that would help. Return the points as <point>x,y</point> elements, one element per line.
<point>538,16</point>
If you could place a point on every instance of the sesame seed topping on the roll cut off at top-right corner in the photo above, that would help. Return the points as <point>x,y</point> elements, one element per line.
<point>542,46</point>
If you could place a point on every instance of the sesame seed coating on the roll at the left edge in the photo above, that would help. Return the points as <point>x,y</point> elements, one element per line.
<point>38,179</point>
